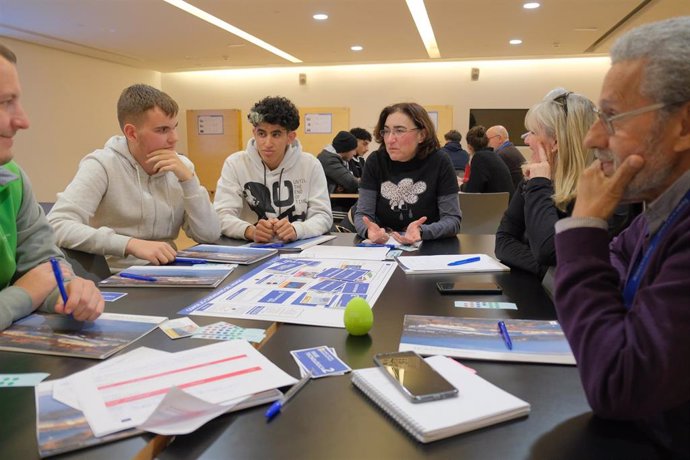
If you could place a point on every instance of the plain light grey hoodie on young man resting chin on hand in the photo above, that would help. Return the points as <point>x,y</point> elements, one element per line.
<point>112,199</point>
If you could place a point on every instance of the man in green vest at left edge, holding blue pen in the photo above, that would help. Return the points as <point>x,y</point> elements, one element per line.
<point>27,281</point>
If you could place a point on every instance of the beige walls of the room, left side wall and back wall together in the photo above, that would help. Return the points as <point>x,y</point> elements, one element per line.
<point>71,99</point>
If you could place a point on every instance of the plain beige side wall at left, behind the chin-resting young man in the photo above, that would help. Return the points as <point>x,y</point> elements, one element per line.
<point>71,103</point>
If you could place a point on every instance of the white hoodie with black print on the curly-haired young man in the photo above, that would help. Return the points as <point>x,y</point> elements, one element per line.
<point>248,191</point>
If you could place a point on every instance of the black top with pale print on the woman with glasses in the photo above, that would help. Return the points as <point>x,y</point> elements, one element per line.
<point>396,193</point>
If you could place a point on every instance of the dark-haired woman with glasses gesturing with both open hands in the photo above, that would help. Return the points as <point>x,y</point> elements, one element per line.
<point>409,184</point>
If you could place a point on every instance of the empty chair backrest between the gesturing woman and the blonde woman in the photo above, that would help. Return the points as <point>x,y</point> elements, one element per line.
<point>482,212</point>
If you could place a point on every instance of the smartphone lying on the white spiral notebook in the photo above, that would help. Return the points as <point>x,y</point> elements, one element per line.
<point>418,381</point>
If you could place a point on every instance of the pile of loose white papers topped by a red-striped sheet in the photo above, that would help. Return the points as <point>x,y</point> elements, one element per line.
<point>124,393</point>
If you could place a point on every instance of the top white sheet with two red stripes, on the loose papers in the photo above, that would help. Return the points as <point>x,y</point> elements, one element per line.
<point>124,396</point>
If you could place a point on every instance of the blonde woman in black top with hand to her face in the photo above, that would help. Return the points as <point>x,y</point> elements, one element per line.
<point>557,126</point>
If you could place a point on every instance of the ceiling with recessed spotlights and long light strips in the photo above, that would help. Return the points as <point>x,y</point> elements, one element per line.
<point>154,35</point>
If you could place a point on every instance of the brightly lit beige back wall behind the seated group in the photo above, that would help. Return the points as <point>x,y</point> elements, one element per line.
<point>367,89</point>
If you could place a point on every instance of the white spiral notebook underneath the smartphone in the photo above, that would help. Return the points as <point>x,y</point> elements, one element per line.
<point>478,404</point>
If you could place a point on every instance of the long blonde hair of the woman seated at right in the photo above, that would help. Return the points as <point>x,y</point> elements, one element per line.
<point>565,117</point>
